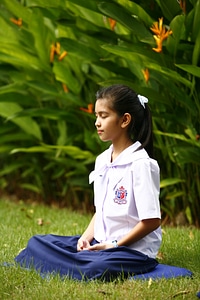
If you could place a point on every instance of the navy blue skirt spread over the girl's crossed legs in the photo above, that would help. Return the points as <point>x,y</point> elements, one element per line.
<point>58,255</point>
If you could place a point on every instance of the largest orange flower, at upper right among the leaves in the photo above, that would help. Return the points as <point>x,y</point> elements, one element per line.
<point>161,33</point>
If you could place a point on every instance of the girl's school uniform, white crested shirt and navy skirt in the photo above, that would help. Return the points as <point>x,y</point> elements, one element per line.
<point>126,191</point>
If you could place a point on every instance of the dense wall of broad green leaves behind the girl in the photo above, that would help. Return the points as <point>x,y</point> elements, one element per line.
<point>48,145</point>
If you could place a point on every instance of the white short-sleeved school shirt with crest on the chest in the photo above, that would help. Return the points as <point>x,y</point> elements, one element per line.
<point>126,191</point>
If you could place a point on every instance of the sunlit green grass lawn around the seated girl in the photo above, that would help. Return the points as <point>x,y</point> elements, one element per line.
<point>19,222</point>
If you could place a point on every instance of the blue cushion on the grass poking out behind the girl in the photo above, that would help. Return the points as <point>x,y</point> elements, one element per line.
<point>164,271</point>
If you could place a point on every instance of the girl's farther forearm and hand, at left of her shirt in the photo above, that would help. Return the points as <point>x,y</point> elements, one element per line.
<point>87,236</point>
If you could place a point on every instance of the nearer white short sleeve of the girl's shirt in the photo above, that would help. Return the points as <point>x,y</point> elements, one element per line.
<point>146,188</point>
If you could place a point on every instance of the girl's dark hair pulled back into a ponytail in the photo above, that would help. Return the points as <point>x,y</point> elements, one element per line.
<point>125,100</point>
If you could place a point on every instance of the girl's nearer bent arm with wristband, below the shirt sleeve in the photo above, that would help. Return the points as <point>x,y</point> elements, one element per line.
<point>143,228</point>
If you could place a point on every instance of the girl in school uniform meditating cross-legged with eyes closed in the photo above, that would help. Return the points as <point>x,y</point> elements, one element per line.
<point>124,234</point>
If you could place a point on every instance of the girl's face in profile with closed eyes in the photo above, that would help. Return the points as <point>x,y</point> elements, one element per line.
<point>108,123</point>
